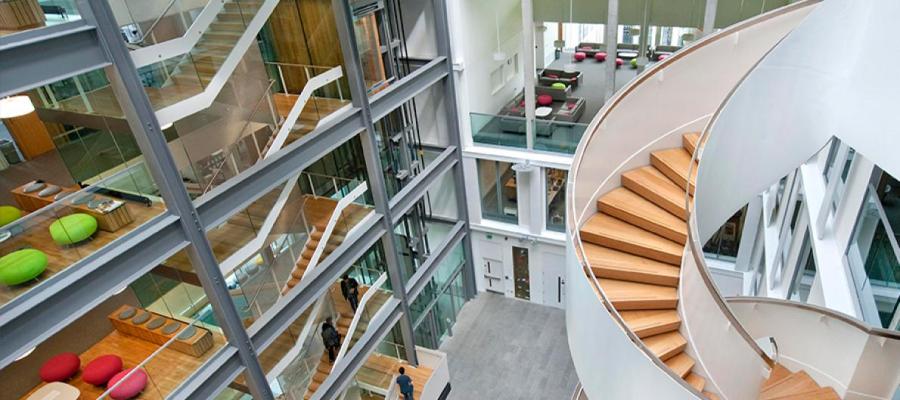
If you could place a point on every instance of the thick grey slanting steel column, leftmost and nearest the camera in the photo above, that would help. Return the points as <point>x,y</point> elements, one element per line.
<point>143,123</point>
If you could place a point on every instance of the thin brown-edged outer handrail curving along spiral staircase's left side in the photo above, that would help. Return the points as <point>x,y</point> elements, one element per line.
<point>579,155</point>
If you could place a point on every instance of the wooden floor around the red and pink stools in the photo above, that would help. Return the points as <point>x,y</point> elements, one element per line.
<point>167,370</point>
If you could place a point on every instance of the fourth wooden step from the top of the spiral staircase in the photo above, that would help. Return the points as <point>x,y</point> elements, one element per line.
<point>630,207</point>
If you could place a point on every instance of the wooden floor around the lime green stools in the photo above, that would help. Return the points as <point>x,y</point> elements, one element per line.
<point>59,258</point>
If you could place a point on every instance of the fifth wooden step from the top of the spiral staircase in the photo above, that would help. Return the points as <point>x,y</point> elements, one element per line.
<point>605,230</point>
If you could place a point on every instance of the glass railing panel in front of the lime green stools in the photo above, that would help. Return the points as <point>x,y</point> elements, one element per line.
<point>53,227</point>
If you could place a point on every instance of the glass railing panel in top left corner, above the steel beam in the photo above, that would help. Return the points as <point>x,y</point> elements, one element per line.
<point>23,15</point>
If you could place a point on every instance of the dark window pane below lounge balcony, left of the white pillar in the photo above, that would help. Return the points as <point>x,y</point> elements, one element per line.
<point>497,184</point>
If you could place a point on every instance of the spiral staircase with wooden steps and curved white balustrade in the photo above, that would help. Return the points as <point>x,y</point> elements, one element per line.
<point>644,319</point>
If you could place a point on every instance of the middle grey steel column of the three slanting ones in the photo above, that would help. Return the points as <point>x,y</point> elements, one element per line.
<point>344,21</point>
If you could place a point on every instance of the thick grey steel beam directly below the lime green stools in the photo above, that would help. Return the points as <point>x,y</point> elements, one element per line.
<point>74,291</point>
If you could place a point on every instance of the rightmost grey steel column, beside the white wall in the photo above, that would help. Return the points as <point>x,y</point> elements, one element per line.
<point>444,47</point>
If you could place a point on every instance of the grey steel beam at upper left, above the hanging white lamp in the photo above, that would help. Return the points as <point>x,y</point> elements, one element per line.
<point>41,56</point>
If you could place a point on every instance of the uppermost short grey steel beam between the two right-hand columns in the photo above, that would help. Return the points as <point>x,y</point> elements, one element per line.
<point>423,78</point>
